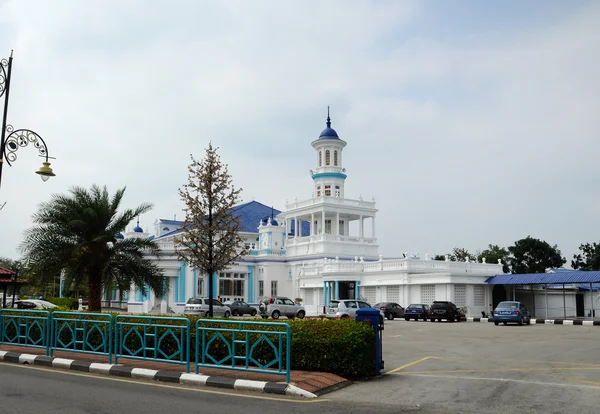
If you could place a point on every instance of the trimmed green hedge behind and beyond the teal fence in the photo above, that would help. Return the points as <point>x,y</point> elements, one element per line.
<point>342,347</point>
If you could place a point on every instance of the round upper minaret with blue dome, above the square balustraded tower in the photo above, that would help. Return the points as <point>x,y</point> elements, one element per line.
<point>329,177</point>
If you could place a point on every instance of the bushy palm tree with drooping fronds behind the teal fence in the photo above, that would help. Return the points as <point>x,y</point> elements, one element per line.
<point>77,233</point>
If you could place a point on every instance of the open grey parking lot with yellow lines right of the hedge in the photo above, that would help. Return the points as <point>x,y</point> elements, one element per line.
<point>478,367</point>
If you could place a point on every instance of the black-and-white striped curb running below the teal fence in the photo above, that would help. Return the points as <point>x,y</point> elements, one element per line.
<point>150,374</point>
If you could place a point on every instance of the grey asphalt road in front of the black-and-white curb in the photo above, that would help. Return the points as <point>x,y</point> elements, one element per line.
<point>26,390</point>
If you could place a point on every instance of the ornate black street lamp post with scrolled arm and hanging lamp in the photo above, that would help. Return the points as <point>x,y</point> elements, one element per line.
<point>18,138</point>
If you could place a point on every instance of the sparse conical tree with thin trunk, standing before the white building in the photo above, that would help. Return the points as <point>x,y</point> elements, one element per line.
<point>210,239</point>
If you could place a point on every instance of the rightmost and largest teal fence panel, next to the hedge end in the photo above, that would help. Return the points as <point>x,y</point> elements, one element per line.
<point>243,346</point>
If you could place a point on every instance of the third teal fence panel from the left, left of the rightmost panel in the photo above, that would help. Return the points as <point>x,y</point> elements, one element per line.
<point>161,339</point>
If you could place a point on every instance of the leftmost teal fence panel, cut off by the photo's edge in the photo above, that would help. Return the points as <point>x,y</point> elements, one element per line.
<point>25,328</point>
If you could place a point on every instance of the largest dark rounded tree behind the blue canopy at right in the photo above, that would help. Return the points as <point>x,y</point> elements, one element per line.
<point>530,255</point>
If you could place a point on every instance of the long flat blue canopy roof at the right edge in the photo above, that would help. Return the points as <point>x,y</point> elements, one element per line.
<point>564,276</point>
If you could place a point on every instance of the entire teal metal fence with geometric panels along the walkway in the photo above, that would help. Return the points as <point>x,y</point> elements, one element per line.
<point>226,344</point>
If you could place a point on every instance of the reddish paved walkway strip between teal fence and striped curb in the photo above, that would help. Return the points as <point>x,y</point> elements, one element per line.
<point>314,382</point>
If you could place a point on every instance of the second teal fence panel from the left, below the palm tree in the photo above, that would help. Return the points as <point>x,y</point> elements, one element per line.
<point>88,333</point>
